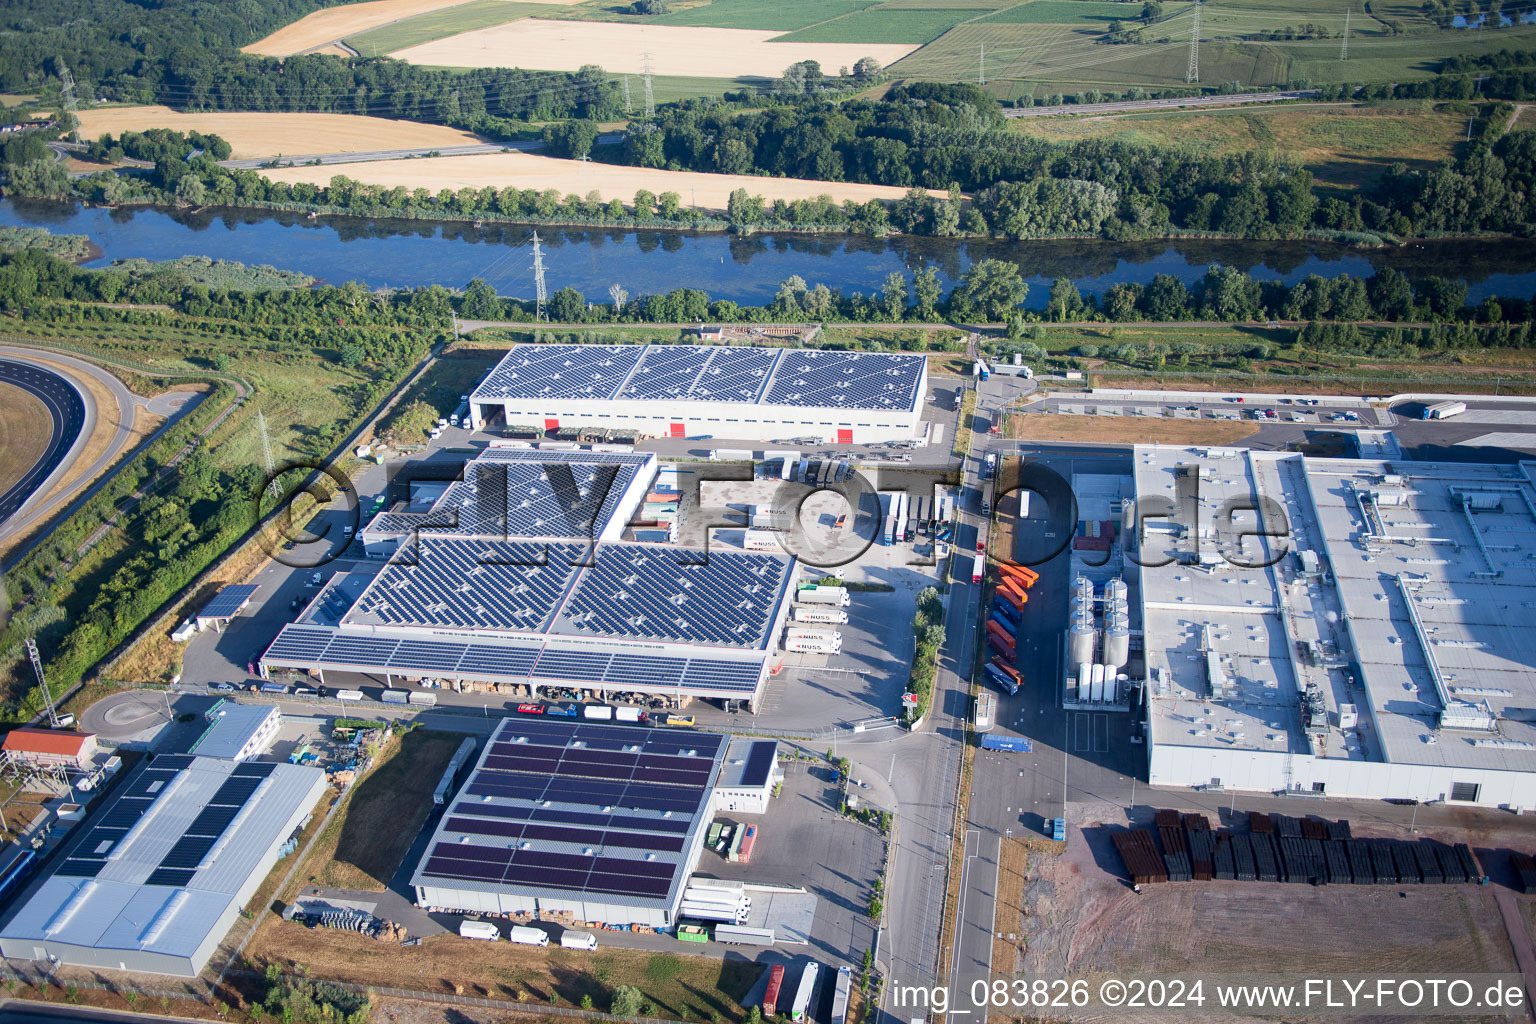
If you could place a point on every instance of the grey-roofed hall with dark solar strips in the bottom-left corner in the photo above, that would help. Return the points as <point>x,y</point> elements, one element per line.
<point>159,876</point>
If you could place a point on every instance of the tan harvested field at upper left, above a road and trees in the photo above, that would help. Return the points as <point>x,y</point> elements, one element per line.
<point>254,136</point>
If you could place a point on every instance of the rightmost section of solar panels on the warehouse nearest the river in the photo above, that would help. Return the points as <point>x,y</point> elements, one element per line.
<point>846,380</point>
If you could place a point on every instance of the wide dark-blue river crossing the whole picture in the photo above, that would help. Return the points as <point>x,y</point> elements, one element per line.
<point>746,269</point>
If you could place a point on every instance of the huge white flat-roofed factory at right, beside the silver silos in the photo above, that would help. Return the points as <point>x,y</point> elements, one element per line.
<point>1375,646</point>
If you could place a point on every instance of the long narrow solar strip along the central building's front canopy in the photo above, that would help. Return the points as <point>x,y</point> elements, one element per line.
<point>299,647</point>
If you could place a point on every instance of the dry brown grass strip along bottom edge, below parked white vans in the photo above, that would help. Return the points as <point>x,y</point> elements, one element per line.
<point>683,988</point>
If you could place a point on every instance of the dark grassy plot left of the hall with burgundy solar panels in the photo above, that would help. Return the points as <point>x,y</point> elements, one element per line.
<point>366,841</point>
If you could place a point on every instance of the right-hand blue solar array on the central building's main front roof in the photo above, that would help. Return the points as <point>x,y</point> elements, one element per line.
<point>643,592</point>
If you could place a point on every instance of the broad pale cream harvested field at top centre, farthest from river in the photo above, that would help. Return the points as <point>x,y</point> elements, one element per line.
<point>701,53</point>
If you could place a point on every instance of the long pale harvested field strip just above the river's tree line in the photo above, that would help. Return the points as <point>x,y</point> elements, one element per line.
<point>529,171</point>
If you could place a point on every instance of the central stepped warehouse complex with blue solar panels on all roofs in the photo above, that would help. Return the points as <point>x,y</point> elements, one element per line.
<point>502,587</point>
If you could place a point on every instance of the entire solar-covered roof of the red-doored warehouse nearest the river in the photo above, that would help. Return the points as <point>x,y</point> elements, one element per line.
<point>812,378</point>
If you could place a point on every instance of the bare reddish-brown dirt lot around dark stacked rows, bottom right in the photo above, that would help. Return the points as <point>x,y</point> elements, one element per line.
<point>1082,919</point>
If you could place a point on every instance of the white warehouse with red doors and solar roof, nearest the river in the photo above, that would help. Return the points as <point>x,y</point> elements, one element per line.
<point>718,391</point>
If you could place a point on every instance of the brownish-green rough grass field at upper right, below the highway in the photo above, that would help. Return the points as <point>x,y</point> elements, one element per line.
<point>1345,145</point>
